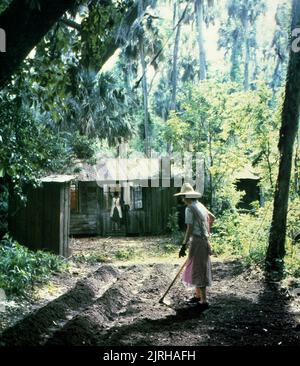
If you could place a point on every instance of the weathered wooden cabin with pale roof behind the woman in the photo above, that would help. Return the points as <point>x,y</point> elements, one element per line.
<point>147,199</point>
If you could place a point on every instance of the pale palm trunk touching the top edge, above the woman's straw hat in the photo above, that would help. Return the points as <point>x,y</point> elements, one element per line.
<point>200,38</point>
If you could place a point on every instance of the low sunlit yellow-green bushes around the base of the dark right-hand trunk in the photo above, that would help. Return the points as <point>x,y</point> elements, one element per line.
<point>245,236</point>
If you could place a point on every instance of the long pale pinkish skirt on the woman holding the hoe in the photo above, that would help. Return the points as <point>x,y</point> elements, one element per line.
<point>198,268</point>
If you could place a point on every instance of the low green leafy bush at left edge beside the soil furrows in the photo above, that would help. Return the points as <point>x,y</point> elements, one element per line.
<point>21,268</point>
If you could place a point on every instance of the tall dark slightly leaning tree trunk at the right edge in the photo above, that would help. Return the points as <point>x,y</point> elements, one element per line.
<point>288,131</point>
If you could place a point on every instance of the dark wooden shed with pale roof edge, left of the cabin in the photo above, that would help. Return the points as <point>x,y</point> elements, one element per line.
<point>44,223</point>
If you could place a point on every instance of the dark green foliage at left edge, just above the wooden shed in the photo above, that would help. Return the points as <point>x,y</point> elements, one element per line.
<point>28,148</point>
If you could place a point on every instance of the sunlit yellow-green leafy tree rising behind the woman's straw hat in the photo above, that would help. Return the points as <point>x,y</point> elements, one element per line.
<point>233,129</point>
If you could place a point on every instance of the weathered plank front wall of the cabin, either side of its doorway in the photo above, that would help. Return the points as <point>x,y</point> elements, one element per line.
<point>93,217</point>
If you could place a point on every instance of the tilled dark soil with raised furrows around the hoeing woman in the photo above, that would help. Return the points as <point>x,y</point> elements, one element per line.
<point>118,305</point>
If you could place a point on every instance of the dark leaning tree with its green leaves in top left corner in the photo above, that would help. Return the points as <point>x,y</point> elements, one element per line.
<point>27,22</point>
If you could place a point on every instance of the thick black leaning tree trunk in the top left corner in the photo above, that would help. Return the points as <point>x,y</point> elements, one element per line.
<point>24,26</point>
